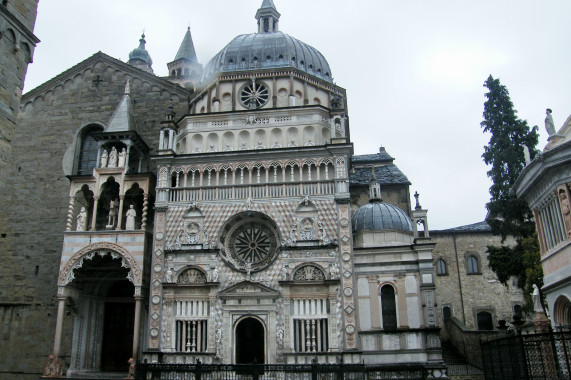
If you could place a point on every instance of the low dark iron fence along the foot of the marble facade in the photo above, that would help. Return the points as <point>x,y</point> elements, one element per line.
<point>163,371</point>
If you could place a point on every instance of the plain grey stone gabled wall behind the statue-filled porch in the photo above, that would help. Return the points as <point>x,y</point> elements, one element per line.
<point>31,231</point>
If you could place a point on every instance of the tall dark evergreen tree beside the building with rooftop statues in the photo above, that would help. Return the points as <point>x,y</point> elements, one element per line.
<point>508,215</point>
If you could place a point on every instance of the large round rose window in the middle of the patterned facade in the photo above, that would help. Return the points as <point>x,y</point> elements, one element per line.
<point>250,242</point>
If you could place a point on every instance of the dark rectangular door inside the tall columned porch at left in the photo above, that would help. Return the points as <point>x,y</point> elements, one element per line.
<point>117,344</point>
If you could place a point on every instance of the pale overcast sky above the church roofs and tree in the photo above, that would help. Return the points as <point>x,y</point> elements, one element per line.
<point>413,70</point>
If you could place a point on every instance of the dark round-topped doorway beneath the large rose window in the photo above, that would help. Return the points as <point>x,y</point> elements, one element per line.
<point>250,341</point>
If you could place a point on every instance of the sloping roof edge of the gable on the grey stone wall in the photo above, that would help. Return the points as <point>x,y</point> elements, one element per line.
<point>102,57</point>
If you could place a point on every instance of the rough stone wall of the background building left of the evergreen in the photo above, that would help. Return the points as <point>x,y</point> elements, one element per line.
<point>467,294</point>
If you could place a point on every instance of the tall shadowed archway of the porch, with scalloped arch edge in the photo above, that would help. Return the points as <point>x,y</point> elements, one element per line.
<point>104,314</point>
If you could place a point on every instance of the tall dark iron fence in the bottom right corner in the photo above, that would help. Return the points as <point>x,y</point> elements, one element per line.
<point>529,356</point>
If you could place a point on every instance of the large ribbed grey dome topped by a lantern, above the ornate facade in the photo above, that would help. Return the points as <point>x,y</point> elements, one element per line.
<point>265,51</point>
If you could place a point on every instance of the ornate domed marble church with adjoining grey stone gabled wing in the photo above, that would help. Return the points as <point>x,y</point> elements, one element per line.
<point>218,214</point>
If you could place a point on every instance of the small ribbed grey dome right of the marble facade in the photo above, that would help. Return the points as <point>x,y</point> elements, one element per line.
<point>380,216</point>
